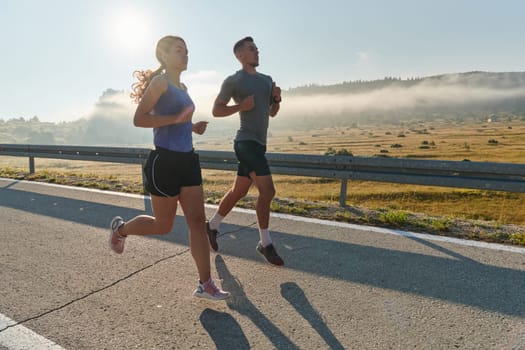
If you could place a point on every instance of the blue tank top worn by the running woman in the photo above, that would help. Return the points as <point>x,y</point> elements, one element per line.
<point>176,137</point>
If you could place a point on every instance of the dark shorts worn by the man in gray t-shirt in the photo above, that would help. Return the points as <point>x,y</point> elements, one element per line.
<point>252,158</point>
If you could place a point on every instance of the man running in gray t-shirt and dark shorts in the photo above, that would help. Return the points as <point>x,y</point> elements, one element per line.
<point>256,98</point>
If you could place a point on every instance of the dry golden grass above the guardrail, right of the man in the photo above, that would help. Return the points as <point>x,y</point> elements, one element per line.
<point>431,140</point>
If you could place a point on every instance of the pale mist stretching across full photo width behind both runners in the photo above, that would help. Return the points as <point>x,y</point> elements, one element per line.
<point>475,95</point>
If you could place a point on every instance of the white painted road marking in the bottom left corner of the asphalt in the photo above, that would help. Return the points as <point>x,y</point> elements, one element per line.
<point>21,338</point>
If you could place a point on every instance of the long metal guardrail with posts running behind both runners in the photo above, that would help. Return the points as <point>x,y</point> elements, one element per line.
<point>475,175</point>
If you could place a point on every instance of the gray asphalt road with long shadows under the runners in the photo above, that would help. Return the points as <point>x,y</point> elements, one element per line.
<point>342,286</point>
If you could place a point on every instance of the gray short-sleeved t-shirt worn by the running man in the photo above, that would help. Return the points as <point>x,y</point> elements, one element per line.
<point>254,123</point>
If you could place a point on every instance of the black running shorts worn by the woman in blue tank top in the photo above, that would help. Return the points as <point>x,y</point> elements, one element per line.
<point>166,172</point>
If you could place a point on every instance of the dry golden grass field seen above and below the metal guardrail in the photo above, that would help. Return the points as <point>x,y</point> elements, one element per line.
<point>475,141</point>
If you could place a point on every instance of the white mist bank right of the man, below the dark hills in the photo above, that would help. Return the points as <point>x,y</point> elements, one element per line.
<point>470,92</point>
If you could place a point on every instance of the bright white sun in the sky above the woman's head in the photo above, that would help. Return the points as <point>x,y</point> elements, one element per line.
<point>129,30</point>
